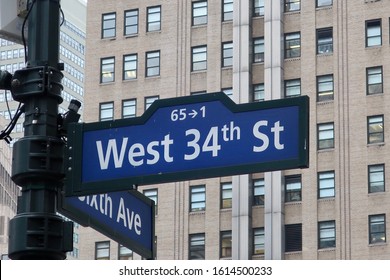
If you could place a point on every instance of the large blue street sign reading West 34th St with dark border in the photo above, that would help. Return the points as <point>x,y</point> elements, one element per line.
<point>188,138</point>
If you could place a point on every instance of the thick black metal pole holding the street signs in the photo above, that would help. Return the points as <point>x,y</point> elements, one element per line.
<point>37,232</point>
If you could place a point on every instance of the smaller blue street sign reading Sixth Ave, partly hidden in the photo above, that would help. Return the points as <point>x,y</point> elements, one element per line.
<point>126,217</point>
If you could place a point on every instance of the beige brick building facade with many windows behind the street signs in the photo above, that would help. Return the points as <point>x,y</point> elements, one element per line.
<point>255,50</point>
